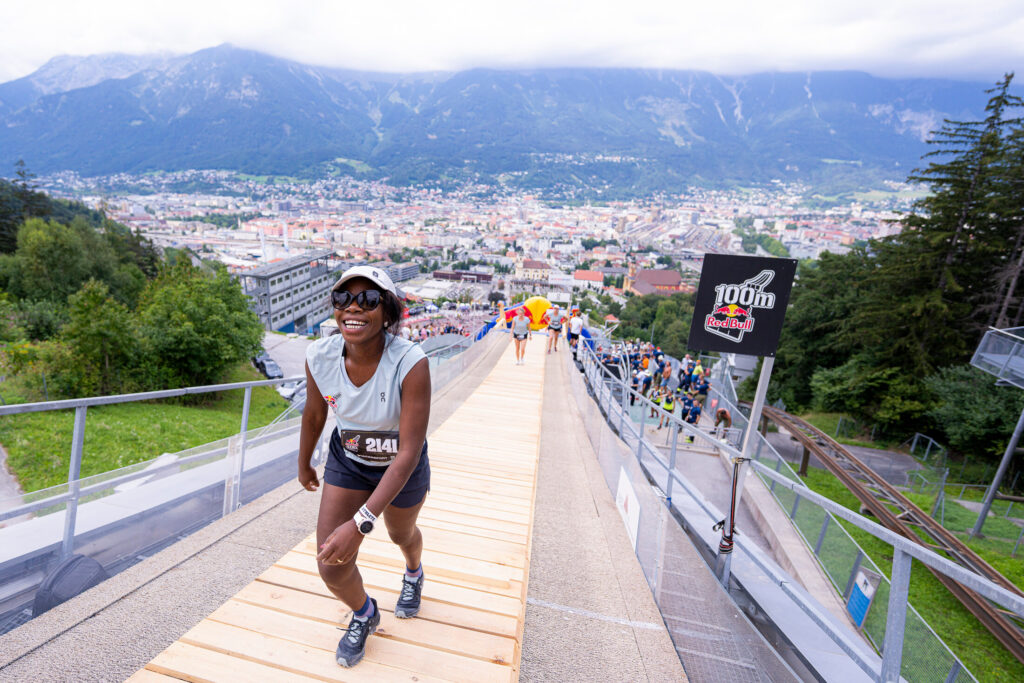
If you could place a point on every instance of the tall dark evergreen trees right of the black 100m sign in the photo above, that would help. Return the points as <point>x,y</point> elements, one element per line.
<point>866,329</point>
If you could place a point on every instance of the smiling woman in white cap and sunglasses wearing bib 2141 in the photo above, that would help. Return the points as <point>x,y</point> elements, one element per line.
<point>378,388</point>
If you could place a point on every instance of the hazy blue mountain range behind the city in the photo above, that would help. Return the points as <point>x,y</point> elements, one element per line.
<point>612,130</point>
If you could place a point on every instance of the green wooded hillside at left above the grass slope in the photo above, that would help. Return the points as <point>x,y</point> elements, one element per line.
<point>90,308</point>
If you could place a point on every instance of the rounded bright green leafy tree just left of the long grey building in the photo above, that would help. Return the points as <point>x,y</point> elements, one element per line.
<point>194,327</point>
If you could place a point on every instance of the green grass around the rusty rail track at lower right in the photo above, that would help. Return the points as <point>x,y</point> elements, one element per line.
<point>979,651</point>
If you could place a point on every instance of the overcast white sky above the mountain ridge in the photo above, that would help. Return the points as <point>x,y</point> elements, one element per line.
<point>965,39</point>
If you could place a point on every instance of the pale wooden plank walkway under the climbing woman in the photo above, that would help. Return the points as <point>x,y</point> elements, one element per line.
<point>477,528</point>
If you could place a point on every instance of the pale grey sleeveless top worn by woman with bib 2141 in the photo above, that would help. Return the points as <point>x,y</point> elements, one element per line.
<point>377,405</point>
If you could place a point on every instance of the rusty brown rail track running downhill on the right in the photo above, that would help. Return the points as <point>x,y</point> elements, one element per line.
<point>898,514</point>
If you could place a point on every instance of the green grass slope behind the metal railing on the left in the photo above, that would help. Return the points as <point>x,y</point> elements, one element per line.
<point>39,444</point>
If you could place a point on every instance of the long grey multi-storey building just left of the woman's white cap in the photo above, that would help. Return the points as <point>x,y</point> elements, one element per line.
<point>292,295</point>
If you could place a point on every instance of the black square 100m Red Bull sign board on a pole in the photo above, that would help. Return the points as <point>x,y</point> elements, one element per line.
<point>742,304</point>
